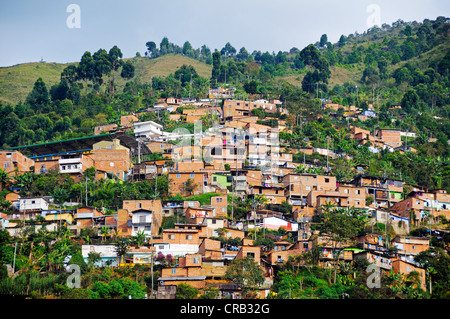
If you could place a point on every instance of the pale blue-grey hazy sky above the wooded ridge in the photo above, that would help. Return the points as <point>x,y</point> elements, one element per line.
<point>31,30</point>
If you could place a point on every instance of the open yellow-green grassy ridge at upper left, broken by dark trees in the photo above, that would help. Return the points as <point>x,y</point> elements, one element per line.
<point>18,80</point>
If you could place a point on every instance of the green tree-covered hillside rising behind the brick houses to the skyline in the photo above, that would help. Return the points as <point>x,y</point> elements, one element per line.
<point>404,64</point>
